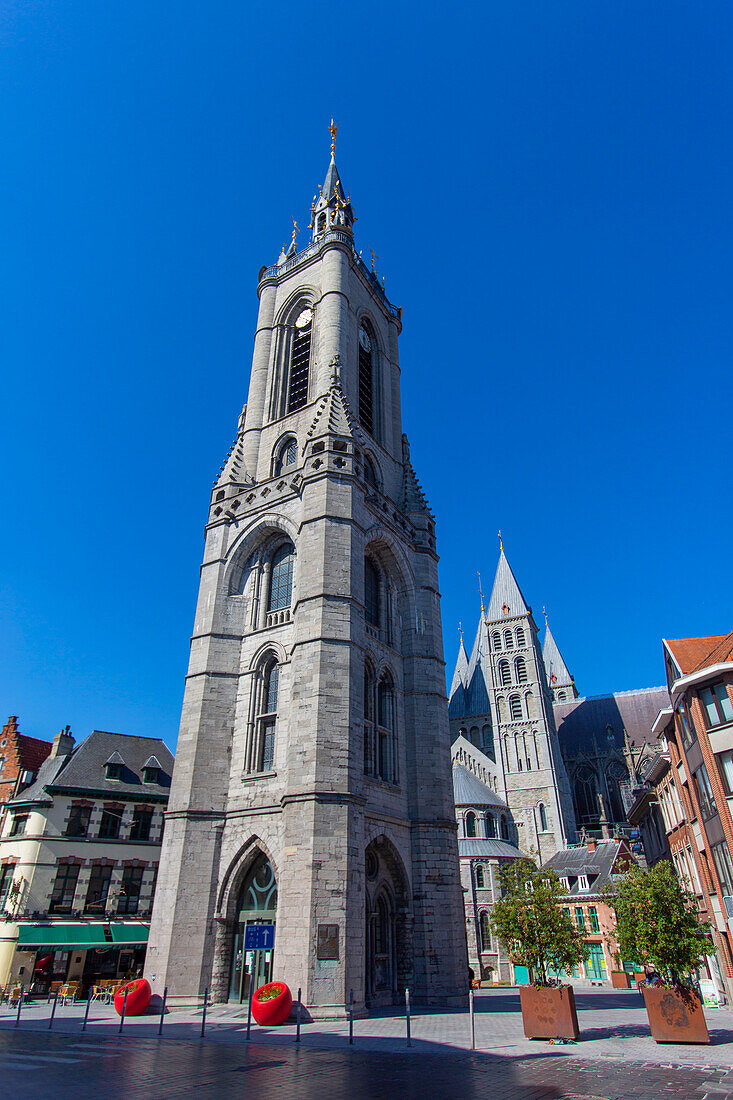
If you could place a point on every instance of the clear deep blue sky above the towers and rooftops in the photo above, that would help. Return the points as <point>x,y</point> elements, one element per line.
<point>549,190</point>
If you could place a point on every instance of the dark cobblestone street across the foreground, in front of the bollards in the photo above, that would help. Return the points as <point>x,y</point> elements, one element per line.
<point>72,1068</point>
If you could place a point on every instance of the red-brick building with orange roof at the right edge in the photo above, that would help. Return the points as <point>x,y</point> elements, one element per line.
<point>696,795</point>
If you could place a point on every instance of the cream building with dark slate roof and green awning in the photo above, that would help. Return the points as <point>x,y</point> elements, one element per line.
<point>80,852</point>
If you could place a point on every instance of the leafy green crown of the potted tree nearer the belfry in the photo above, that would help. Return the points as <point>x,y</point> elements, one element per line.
<point>529,920</point>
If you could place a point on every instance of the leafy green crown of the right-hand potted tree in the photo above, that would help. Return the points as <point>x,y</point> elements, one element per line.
<point>659,923</point>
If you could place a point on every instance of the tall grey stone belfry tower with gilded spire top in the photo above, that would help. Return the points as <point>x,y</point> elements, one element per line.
<point>313,780</point>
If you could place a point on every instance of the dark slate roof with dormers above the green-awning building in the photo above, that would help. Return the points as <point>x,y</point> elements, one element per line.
<point>84,768</point>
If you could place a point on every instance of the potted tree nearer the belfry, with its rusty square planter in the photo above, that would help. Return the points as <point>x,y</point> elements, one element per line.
<point>538,933</point>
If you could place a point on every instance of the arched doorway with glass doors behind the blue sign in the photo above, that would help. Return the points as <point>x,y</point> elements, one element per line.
<point>256,905</point>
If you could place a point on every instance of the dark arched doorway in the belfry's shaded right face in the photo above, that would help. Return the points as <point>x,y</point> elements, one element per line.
<point>388,963</point>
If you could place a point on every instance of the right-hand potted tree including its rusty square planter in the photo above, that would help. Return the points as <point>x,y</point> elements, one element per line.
<point>660,927</point>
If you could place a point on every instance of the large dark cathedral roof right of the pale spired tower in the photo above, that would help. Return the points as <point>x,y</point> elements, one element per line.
<point>584,721</point>
